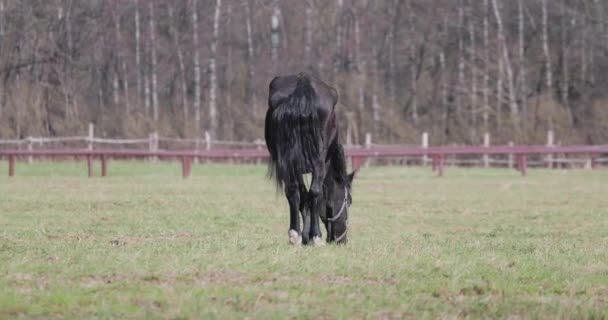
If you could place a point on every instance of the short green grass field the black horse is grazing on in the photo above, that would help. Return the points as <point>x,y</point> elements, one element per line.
<point>145,243</point>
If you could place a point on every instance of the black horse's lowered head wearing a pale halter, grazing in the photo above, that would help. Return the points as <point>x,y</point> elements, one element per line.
<point>338,198</point>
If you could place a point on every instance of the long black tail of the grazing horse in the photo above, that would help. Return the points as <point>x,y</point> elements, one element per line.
<point>297,130</point>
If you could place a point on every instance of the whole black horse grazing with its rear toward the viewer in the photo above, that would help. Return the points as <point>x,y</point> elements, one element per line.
<point>301,135</point>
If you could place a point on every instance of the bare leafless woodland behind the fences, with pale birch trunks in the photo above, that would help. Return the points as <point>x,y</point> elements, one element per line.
<point>454,68</point>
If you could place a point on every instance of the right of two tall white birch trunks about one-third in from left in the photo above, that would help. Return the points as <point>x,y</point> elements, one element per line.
<point>213,121</point>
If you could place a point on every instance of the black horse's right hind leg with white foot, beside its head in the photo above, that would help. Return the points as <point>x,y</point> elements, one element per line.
<point>318,205</point>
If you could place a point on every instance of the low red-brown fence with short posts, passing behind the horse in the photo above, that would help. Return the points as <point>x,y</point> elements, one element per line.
<point>436,155</point>
